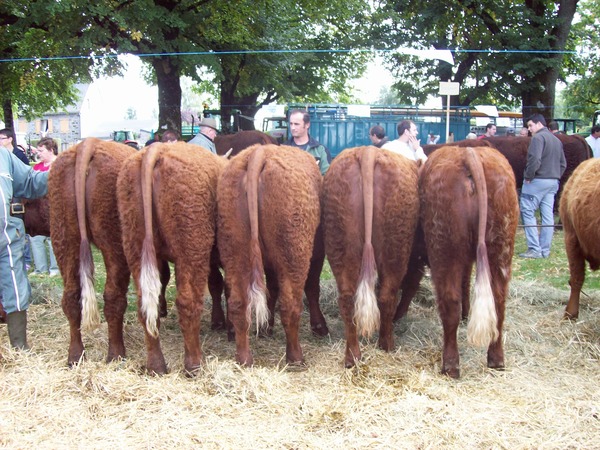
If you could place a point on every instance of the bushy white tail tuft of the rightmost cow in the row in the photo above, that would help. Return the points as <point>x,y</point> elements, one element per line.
<point>482,329</point>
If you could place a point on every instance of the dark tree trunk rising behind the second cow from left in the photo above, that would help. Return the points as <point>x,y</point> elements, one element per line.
<point>169,93</point>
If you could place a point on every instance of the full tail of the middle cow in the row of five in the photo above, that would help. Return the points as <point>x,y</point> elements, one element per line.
<point>257,298</point>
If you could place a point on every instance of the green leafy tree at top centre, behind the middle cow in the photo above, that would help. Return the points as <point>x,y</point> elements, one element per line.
<point>289,62</point>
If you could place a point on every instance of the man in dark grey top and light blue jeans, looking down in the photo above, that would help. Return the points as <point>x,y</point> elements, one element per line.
<point>545,165</point>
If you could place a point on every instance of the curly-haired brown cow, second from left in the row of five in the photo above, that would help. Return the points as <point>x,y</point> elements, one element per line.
<point>167,205</point>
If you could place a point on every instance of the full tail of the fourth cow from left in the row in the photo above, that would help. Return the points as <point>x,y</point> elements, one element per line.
<point>366,311</point>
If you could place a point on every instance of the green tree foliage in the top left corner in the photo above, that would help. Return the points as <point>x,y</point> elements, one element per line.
<point>30,86</point>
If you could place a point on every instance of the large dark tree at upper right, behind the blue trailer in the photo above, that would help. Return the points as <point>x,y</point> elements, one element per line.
<point>527,39</point>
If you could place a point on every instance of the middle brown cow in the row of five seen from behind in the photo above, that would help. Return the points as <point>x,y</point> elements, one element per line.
<point>268,201</point>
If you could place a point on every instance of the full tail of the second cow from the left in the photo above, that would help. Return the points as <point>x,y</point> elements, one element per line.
<point>150,284</point>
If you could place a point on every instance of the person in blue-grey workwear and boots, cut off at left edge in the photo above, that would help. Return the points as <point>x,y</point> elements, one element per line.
<point>16,180</point>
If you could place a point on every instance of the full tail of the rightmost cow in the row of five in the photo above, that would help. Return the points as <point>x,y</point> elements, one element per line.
<point>482,328</point>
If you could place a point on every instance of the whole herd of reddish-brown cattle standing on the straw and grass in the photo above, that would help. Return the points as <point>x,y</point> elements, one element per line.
<point>268,219</point>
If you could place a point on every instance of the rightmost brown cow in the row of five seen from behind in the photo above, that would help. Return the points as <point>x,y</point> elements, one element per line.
<point>469,212</point>
